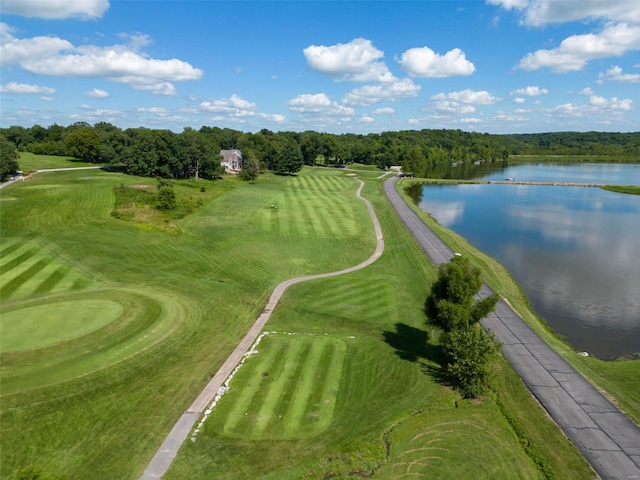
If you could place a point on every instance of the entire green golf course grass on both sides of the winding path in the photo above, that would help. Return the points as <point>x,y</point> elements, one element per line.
<point>95,398</point>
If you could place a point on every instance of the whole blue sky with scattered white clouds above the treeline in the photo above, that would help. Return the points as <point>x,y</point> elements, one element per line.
<point>496,66</point>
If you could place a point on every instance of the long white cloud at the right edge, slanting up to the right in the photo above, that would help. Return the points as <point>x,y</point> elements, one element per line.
<point>574,52</point>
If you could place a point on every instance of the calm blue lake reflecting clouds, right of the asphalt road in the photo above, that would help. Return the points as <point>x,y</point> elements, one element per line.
<point>574,250</point>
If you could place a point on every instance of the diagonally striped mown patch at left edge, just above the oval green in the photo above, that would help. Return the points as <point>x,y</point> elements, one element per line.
<point>26,269</point>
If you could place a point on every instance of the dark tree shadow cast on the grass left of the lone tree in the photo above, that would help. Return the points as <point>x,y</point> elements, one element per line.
<point>412,344</point>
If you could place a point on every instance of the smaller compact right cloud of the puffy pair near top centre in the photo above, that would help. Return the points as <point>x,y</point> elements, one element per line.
<point>424,62</point>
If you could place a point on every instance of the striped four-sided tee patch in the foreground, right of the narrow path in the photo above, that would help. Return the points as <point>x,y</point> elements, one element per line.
<point>288,390</point>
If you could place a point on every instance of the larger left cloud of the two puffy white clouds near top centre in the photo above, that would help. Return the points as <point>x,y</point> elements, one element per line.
<point>354,61</point>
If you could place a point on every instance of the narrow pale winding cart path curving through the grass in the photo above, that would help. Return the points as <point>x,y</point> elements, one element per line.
<point>169,449</point>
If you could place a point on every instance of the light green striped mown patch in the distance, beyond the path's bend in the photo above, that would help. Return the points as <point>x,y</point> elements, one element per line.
<point>318,206</point>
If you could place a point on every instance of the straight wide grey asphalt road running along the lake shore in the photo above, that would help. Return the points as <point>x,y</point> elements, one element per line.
<point>606,437</point>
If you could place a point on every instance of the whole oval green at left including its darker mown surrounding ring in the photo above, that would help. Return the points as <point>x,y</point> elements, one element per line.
<point>135,323</point>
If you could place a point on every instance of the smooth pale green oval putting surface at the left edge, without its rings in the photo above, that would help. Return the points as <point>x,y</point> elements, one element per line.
<point>40,326</point>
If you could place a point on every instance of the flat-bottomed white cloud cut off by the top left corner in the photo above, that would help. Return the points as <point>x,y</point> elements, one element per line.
<point>56,9</point>
